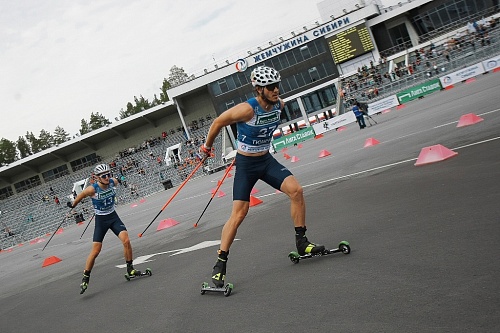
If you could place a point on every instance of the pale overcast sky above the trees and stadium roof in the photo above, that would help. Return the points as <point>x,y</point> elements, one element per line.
<point>62,60</point>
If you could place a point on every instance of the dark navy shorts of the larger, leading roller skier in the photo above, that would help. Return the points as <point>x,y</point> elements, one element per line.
<point>249,169</point>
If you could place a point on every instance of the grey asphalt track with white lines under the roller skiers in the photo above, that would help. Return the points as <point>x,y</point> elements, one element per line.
<point>424,240</point>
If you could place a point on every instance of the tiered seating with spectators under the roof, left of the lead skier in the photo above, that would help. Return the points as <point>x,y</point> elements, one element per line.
<point>141,169</point>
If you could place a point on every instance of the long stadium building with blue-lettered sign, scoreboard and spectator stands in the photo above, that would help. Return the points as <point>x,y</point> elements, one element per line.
<point>352,53</point>
